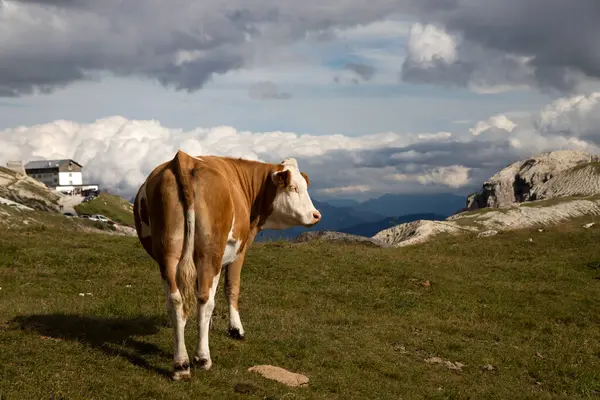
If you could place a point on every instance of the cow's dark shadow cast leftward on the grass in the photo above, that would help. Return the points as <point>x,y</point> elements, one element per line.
<point>113,336</point>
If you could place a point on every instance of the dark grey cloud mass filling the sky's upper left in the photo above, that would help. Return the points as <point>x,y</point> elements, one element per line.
<point>49,44</point>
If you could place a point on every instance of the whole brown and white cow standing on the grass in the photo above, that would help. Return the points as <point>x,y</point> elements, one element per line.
<point>197,216</point>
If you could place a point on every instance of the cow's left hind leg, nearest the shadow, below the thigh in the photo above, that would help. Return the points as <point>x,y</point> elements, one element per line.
<point>181,363</point>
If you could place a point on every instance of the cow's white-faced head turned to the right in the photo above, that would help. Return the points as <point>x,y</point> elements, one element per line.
<point>292,205</point>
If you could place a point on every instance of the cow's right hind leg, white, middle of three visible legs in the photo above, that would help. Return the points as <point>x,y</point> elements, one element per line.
<point>207,287</point>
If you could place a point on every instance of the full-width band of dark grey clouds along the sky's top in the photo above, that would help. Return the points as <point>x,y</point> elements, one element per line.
<point>183,43</point>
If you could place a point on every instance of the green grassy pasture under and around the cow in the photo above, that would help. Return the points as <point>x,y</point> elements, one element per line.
<point>522,316</point>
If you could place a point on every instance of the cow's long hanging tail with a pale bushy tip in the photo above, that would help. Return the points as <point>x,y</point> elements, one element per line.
<point>186,269</point>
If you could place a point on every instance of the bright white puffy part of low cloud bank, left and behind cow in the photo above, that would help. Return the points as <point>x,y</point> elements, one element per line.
<point>118,153</point>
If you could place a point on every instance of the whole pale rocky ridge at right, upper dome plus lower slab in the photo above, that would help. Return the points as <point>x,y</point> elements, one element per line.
<point>544,190</point>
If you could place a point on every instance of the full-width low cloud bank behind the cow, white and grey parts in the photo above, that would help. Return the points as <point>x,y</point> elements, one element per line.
<point>118,153</point>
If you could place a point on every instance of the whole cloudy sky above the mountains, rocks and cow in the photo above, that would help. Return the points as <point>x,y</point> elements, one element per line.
<point>389,96</point>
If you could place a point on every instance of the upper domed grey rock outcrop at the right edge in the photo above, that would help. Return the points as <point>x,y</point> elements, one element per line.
<point>547,175</point>
